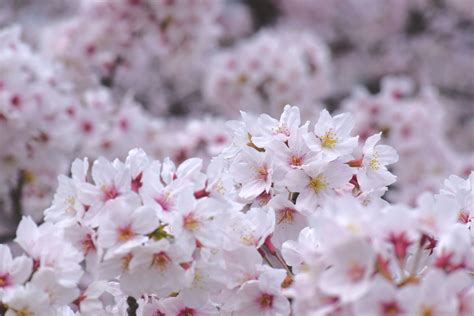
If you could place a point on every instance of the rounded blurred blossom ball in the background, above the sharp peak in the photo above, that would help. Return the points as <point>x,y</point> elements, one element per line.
<point>273,68</point>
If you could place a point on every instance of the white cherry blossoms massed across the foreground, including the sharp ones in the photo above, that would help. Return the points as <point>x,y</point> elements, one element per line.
<point>289,218</point>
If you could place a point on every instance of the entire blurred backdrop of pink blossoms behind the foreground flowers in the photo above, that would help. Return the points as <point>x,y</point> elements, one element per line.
<point>89,78</point>
